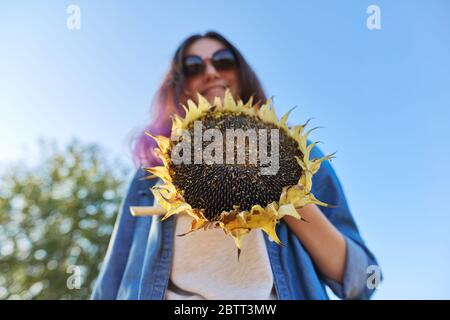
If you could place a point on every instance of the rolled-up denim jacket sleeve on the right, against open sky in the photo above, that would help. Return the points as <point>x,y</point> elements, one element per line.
<point>361,267</point>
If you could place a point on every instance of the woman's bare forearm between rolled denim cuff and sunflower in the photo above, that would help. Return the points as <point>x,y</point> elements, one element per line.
<point>324,243</point>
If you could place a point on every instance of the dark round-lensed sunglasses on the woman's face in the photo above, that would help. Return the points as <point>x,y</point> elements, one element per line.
<point>222,59</point>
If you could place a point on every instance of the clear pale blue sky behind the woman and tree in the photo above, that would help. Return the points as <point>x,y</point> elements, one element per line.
<point>383,97</point>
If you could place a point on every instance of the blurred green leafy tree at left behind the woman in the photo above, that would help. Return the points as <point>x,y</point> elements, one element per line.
<point>56,220</point>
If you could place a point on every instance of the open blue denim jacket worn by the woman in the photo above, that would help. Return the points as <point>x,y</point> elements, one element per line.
<point>138,261</point>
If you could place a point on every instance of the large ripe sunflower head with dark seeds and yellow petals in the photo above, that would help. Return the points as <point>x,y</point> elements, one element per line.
<point>234,166</point>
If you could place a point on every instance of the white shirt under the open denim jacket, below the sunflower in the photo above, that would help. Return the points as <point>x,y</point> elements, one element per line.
<point>205,265</point>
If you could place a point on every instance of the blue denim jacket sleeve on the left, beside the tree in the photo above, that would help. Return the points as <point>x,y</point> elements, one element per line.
<point>108,282</point>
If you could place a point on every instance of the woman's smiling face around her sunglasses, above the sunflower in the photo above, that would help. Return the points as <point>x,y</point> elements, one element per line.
<point>212,82</point>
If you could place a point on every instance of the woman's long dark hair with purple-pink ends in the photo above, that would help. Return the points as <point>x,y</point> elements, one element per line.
<point>169,96</point>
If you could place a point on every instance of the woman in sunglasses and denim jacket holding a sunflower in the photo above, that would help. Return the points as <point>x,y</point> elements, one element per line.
<point>145,259</point>
